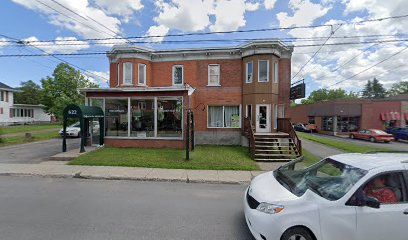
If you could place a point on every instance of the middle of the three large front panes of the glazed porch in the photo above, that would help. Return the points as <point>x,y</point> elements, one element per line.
<point>142,118</point>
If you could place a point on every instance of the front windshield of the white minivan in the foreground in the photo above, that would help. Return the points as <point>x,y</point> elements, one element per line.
<point>328,178</point>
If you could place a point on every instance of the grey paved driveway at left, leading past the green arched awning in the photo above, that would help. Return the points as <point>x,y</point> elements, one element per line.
<point>35,152</point>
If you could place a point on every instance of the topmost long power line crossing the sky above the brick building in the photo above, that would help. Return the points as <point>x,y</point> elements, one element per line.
<point>228,32</point>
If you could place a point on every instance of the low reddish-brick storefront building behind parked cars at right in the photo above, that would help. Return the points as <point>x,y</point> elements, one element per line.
<point>344,116</point>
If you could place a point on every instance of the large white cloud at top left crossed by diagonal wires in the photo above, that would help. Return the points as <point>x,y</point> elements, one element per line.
<point>83,26</point>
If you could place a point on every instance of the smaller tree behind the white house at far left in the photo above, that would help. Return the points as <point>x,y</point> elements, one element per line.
<point>30,93</point>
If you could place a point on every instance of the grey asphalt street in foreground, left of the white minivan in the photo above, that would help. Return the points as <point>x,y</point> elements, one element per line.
<point>66,209</point>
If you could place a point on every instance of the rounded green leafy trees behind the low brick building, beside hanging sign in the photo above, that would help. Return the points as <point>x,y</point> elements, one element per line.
<point>326,94</point>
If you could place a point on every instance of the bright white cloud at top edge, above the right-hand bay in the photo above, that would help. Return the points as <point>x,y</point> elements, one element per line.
<point>304,13</point>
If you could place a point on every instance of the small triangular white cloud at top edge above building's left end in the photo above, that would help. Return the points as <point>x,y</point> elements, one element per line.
<point>122,8</point>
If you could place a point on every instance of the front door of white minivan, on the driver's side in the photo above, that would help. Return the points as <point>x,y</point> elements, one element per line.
<point>390,220</point>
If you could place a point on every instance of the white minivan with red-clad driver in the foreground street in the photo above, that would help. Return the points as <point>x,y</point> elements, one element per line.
<point>353,196</point>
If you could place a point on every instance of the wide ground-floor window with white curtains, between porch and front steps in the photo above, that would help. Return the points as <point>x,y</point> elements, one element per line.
<point>224,117</point>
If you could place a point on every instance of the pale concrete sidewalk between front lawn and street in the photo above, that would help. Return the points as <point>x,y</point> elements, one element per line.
<point>60,170</point>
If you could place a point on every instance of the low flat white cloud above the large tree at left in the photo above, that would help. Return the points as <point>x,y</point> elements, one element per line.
<point>58,46</point>
